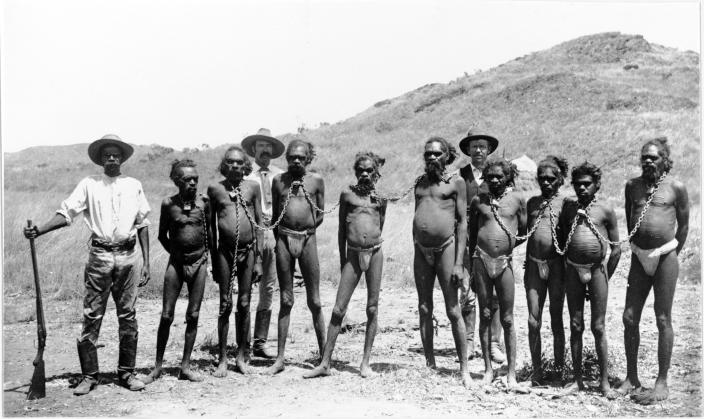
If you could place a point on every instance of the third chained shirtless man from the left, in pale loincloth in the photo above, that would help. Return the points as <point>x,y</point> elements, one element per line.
<point>295,239</point>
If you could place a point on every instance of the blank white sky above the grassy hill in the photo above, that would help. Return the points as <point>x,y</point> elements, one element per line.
<point>181,73</point>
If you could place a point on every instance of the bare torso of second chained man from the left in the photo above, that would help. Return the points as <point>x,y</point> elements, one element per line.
<point>231,217</point>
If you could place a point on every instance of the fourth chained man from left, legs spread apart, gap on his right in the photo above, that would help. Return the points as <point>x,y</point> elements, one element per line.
<point>362,215</point>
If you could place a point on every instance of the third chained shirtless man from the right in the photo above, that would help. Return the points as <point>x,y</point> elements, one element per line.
<point>544,266</point>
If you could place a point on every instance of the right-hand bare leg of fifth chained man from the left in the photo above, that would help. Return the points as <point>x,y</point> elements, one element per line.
<point>452,307</point>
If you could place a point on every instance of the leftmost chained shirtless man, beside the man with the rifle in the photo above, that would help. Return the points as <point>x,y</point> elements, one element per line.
<point>183,231</point>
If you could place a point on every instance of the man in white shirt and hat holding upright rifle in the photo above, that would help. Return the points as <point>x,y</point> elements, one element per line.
<point>115,209</point>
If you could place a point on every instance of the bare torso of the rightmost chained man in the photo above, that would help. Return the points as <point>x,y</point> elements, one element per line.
<point>660,222</point>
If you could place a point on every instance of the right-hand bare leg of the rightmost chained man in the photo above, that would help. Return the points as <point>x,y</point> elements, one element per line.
<point>665,281</point>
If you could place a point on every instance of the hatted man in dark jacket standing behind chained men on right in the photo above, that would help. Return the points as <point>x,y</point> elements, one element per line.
<point>478,147</point>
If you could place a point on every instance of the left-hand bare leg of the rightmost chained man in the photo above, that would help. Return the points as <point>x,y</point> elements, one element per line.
<point>639,285</point>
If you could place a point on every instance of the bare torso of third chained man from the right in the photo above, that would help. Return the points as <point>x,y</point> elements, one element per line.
<point>540,244</point>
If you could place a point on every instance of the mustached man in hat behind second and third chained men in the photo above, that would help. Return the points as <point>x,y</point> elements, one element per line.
<point>263,147</point>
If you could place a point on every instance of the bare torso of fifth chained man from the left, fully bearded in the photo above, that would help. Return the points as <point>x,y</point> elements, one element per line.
<point>434,218</point>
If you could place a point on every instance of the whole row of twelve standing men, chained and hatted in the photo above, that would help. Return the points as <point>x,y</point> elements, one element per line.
<point>259,220</point>
